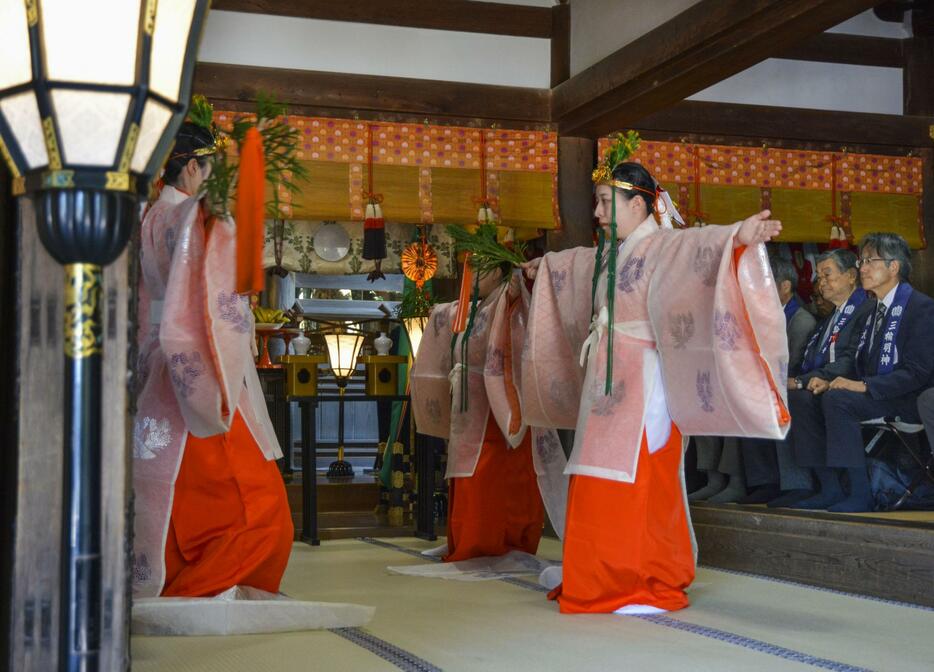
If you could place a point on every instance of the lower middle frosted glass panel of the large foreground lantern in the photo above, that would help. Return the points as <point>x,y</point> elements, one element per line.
<point>91,125</point>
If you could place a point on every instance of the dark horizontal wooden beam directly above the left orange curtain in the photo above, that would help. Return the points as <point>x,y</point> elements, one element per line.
<point>330,94</point>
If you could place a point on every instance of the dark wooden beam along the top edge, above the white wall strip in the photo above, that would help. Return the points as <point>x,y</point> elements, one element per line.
<point>461,15</point>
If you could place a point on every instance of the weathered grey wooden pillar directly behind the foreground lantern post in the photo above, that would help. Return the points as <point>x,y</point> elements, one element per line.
<point>37,389</point>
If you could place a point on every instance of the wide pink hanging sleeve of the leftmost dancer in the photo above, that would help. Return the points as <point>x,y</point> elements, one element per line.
<point>206,328</point>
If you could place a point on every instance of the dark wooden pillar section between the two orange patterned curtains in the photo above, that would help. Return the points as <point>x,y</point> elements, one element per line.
<point>575,194</point>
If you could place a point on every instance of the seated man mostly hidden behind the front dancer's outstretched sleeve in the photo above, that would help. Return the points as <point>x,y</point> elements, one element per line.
<point>770,468</point>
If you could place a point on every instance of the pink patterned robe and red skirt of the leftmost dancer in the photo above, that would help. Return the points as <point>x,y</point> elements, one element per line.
<point>199,387</point>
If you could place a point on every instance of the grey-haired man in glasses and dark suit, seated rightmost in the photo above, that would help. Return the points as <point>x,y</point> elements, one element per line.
<point>894,362</point>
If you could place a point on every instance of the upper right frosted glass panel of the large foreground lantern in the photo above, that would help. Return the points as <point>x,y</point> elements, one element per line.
<point>173,25</point>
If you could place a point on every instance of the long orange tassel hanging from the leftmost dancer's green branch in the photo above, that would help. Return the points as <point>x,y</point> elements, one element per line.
<point>250,214</point>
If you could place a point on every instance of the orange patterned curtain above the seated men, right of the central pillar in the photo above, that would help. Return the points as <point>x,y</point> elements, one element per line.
<point>805,189</point>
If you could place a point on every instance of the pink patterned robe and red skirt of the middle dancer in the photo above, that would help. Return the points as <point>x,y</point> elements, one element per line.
<point>493,371</point>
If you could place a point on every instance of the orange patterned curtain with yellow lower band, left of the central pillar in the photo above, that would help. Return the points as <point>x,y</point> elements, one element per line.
<point>426,173</point>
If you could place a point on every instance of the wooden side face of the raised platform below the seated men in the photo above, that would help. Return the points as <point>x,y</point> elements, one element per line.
<point>888,556</point>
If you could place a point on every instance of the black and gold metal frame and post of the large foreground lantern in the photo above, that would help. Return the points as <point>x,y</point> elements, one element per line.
<point>85,215</point>
